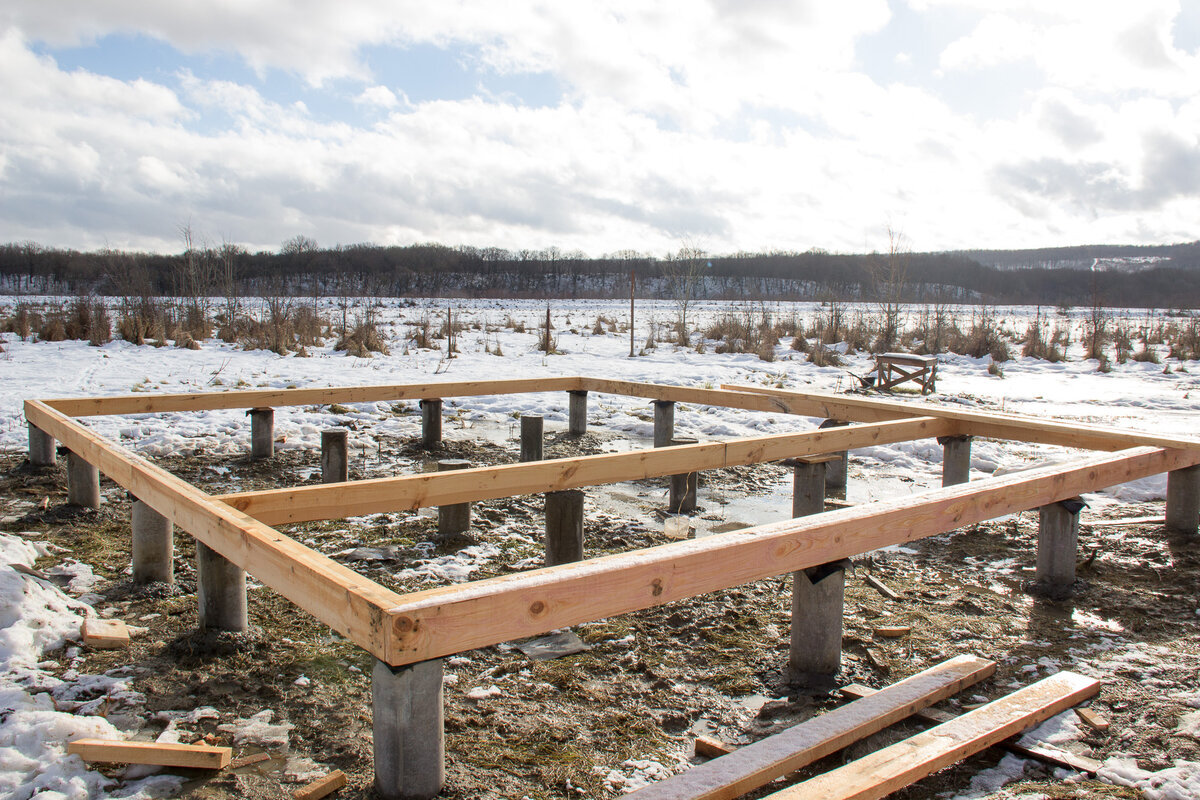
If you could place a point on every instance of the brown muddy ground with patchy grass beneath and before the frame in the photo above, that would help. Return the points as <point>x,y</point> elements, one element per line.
<point>579,726</point>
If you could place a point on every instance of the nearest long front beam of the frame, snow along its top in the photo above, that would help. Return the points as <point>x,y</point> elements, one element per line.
<point>452,619</point>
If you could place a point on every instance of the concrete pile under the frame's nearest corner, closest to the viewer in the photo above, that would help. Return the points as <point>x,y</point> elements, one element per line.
<point>407,723</point>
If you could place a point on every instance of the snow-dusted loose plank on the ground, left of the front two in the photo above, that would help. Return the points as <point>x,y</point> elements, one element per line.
<point>760,763</point>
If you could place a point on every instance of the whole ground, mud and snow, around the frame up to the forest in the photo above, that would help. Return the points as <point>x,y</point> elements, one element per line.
<point>625,712</point>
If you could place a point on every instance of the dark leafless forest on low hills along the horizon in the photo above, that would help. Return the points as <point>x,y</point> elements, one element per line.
<point>1129,276</point>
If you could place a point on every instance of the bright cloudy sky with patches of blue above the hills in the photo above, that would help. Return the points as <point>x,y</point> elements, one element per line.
<point>601,127</point>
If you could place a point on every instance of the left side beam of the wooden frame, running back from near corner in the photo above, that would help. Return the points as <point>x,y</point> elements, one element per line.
<point>340,598</point>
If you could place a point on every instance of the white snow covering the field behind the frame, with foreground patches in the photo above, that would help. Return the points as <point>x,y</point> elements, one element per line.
<point>40,711</point>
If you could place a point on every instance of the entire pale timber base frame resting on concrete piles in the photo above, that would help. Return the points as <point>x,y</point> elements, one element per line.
<point>429,624</point>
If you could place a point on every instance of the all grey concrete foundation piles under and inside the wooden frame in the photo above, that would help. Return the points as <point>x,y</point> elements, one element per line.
<point>407,702</point>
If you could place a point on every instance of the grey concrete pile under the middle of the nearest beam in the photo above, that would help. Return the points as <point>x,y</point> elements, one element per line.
<point>815,657</point>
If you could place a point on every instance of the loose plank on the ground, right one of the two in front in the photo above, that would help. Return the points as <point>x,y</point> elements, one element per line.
<point>907,762</point>
